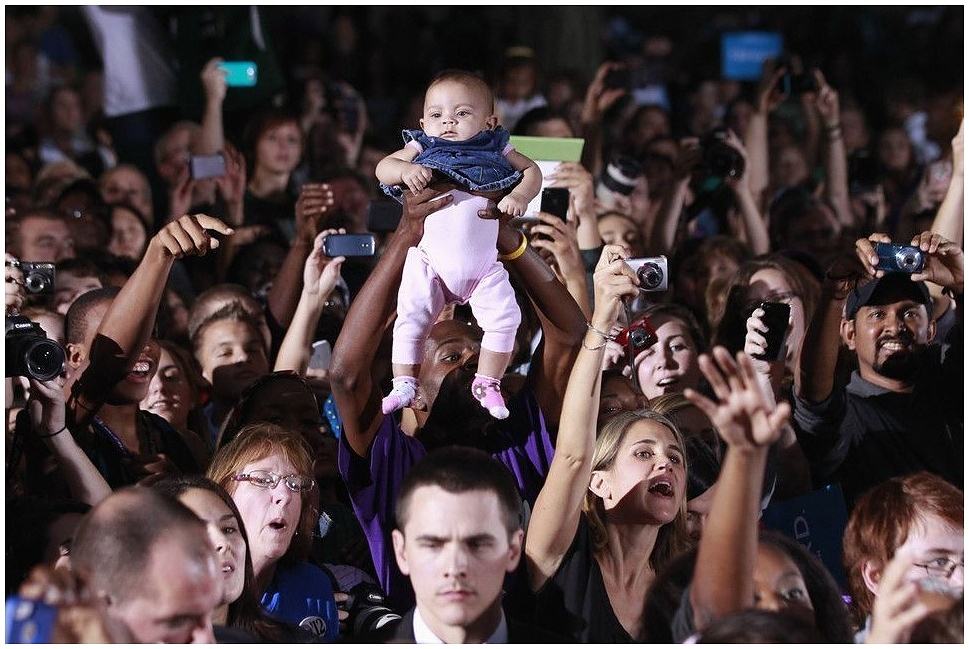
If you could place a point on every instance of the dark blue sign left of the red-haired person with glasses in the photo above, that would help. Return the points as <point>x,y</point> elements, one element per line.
<point>817,521</point>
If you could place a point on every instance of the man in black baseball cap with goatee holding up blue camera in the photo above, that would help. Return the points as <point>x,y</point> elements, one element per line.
<point>901,409</point>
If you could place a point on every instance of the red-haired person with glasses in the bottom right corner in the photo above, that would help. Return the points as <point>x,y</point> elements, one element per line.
<point>904,552</point>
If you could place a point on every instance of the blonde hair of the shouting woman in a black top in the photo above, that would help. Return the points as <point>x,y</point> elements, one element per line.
<point>672,537</point>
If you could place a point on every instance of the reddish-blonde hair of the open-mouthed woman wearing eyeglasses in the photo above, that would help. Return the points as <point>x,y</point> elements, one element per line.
<point>258,441</point>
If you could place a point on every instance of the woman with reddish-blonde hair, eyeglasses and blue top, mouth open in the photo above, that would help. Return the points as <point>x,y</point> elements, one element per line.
<point>268,472</point>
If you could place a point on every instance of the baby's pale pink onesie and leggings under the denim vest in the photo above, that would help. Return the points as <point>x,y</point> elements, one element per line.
<point>456,261</point>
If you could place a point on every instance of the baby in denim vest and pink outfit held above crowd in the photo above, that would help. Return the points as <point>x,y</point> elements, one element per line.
<point>456,259</point>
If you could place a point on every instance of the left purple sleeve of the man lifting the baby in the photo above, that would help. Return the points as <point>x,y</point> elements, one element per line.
<point>372,483</point>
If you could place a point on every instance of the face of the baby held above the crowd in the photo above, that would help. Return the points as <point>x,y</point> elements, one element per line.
<point>456,111</point>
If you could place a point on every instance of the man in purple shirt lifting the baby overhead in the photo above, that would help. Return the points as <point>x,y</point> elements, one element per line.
<point>376,452</point>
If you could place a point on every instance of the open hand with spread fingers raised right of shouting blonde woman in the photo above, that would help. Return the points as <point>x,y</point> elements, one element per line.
<point>741,413</point>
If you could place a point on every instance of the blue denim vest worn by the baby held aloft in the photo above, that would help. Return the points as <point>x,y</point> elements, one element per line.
<point>477,164</point>
